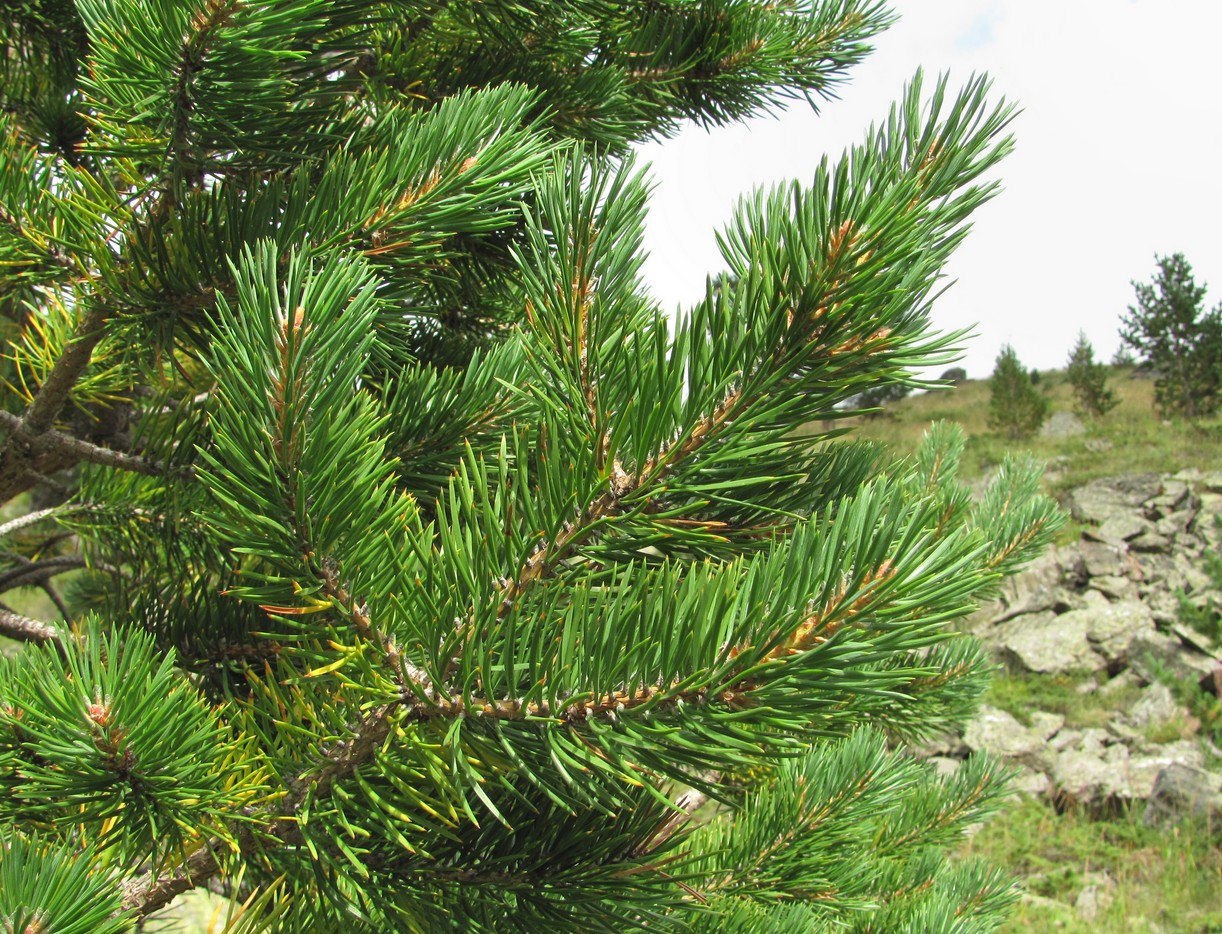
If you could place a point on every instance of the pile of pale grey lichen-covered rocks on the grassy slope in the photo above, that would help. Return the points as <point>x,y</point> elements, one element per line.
<point>1104,613</point>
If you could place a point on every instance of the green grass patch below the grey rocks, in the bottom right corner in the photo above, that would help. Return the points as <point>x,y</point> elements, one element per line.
<point>1165,881</point>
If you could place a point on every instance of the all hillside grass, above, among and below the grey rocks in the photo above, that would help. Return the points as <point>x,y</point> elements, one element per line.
<point>1083,873</point>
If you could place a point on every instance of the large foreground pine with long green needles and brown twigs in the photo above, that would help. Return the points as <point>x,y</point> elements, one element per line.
<point>427,578</point>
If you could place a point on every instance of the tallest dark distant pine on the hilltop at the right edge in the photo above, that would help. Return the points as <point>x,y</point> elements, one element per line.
<point>1176,337</point>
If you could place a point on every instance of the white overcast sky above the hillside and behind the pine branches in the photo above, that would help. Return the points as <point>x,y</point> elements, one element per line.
<point>1120,146</point>
